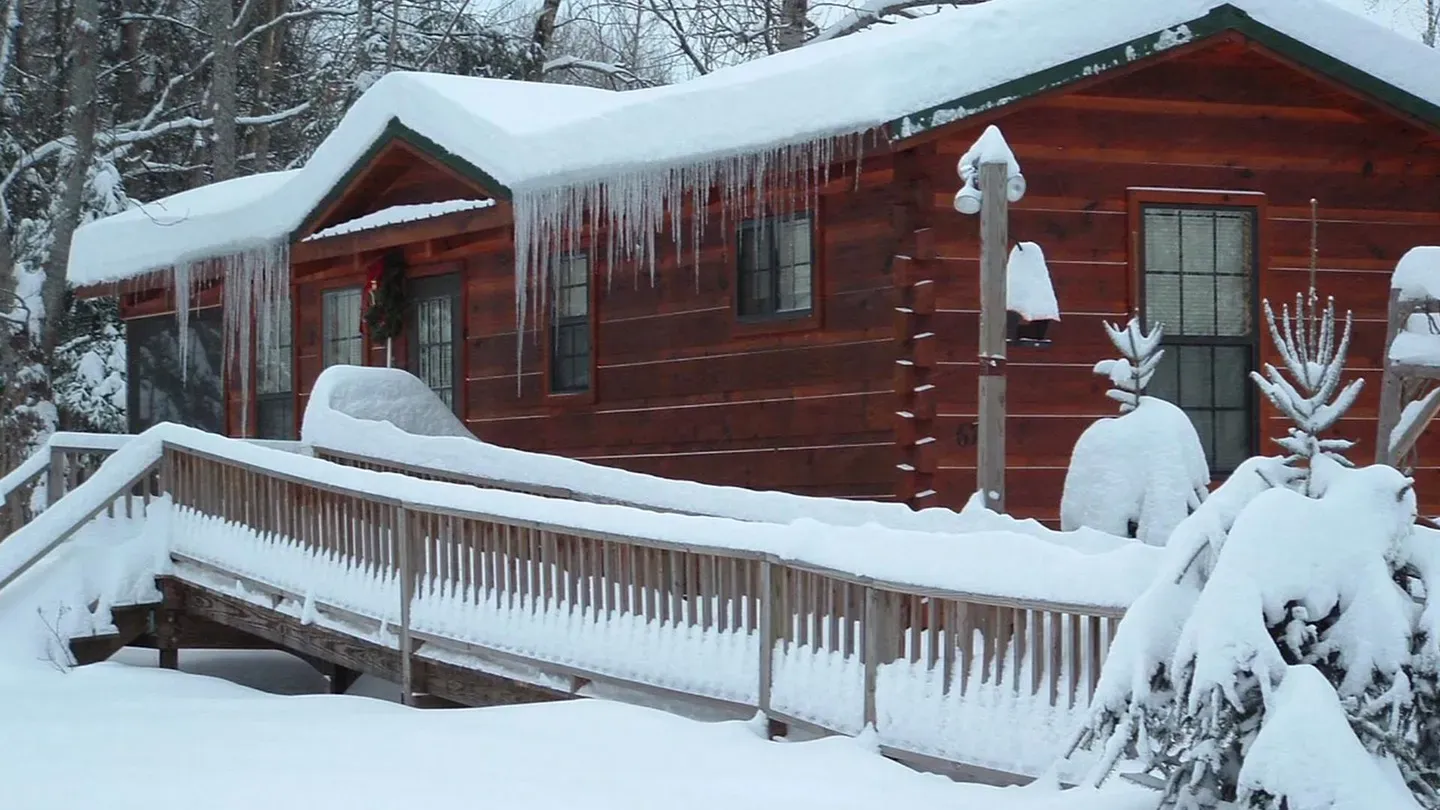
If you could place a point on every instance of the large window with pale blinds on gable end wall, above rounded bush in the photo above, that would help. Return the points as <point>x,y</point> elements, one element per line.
<point>1199,266</point>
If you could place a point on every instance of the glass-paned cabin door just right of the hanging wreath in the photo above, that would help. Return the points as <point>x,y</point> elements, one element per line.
<point>434,335</point>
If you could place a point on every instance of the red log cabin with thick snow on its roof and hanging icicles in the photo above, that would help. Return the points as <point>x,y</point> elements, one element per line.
<point>758,277</point>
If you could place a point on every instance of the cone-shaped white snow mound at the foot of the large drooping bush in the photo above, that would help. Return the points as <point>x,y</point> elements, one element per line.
<point>1308,755</point>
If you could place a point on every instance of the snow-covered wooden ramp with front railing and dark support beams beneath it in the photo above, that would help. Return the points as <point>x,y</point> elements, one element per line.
<point>368,573</point>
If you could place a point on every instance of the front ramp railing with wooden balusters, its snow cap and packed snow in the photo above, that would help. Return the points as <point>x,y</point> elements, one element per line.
<point>917,639</point>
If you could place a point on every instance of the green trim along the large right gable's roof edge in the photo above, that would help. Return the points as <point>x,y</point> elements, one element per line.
<point>1220,19</point>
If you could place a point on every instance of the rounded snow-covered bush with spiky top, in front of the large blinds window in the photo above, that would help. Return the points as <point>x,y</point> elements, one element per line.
<point>1141,473</point>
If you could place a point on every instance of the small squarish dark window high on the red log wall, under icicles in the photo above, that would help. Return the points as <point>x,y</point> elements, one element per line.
<point>775,272</point>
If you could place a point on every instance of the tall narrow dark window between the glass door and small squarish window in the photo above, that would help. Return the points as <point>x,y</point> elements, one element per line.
<point>562,329</point>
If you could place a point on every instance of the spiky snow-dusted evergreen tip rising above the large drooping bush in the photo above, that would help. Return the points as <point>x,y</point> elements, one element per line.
<point>1313,397</point>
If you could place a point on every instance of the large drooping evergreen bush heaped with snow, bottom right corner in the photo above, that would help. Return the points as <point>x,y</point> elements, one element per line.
<point>1287,659</point>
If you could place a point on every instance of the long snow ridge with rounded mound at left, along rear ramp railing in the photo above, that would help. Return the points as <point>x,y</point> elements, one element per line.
<point>391,416</point>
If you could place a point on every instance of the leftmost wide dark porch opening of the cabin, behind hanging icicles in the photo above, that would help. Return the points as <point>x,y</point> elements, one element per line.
<point>159,391</point>
